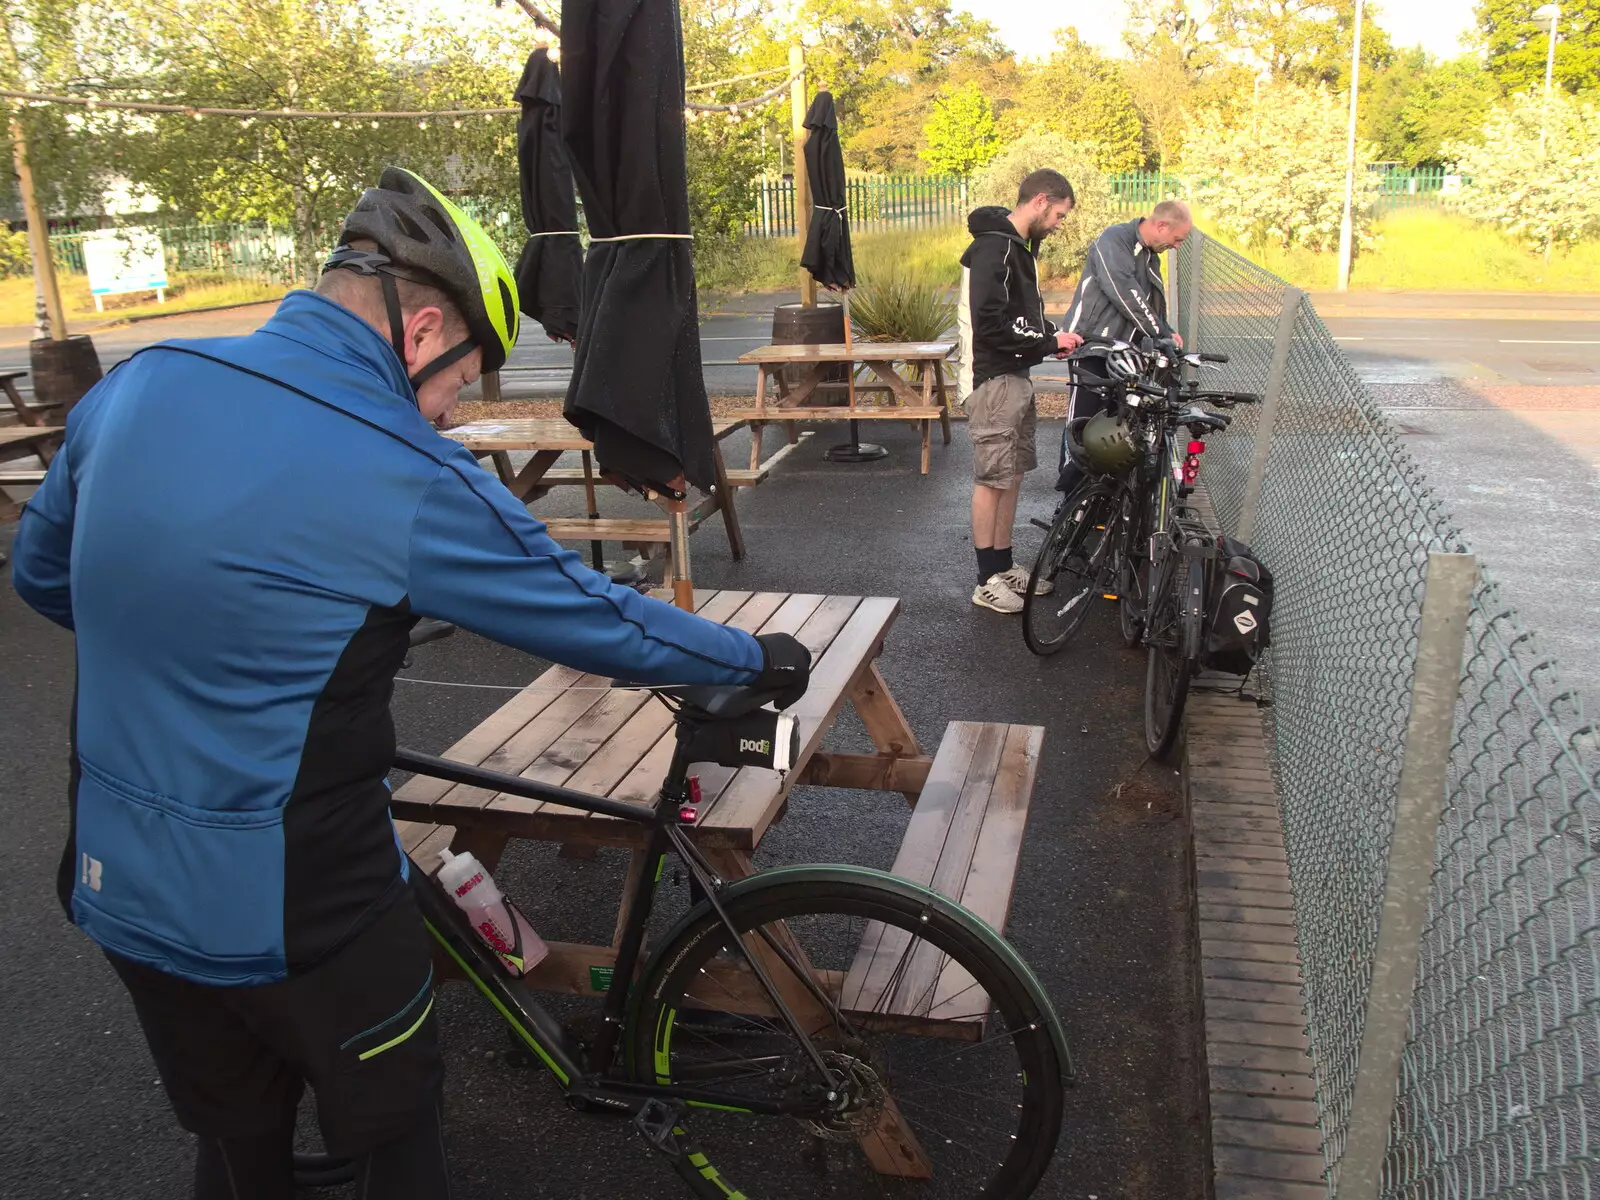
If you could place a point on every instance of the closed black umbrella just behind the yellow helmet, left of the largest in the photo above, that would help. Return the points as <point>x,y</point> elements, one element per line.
<point>551,268</point>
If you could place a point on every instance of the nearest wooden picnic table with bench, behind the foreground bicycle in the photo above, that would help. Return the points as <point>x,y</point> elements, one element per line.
<point>572,730</point>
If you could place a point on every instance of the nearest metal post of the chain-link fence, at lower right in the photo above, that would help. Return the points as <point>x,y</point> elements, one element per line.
<point>1420,798</point>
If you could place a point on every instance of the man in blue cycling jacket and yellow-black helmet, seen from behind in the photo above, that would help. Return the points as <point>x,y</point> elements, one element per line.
<point>242,534</point>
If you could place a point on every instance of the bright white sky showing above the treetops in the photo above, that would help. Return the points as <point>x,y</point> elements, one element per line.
<point>1026,25</point>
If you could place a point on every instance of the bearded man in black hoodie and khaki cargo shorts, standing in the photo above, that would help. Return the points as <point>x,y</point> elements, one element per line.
<point>1004,337</point>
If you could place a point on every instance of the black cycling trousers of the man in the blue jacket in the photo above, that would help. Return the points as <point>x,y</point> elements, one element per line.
<point>359,1030</point>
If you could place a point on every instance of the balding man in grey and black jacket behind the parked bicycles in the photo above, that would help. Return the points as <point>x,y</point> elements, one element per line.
<point>1121,297</point>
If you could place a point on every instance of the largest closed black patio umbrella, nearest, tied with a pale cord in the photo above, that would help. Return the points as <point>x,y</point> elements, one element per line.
<point>638,388</point>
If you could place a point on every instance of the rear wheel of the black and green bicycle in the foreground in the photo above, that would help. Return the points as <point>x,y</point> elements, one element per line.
<point>946,1047</point>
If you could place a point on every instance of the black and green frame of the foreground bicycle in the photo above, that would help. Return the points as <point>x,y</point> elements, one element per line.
<point>591,1078</point>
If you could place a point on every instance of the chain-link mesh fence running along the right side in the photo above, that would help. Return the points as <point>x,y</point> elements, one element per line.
<point>1498,1090</point>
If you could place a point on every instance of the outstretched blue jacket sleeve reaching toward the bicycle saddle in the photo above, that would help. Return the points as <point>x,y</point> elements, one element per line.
<point>481,561</point>
